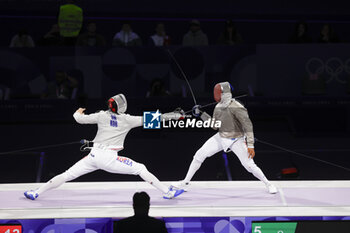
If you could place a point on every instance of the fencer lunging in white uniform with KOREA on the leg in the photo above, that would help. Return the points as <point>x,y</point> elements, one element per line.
<point>113,126</point>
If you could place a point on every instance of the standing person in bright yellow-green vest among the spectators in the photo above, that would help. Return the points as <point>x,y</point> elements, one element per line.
<point>70,20</point>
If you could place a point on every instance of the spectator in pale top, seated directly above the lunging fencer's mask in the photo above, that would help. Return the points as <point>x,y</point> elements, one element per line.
<point>126,37</point>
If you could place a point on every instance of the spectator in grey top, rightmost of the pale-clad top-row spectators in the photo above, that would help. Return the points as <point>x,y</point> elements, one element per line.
<point>195,36</point>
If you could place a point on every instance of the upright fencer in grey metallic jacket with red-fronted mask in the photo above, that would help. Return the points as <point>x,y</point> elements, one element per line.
<point>235,133</point>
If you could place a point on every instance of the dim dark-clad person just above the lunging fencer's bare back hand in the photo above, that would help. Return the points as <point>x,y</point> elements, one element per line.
<point>63,87</point>
